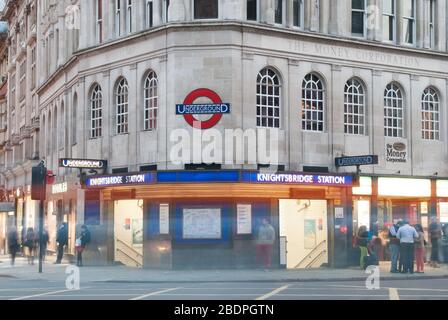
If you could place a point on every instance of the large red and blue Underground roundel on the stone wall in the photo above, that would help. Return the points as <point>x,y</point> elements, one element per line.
<point>188,109</point>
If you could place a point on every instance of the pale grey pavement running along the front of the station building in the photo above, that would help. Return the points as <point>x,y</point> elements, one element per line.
<point>52,272</point>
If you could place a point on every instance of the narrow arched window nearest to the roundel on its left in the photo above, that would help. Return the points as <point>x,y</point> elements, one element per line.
<point>150,101</point>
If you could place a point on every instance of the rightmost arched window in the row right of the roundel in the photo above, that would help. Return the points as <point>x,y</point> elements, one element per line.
<point>430,115</point>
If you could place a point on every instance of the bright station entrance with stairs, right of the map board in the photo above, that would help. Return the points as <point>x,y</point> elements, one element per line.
<point>303,224</point>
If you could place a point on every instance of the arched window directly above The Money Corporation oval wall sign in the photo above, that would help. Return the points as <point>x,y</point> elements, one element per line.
<point>393,111</point>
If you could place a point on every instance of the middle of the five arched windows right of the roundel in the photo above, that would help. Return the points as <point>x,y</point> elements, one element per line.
<point>354,108</point>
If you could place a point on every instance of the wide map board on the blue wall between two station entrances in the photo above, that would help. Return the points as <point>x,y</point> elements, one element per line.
<point>201,223</point>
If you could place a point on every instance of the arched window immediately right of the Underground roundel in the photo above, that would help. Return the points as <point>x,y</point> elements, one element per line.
<point>268,99</point>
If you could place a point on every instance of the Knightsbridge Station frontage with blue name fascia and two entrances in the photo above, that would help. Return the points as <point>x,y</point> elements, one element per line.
<point>210,219</point>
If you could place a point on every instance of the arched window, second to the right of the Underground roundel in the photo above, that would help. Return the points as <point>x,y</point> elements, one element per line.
<point>313,103</point>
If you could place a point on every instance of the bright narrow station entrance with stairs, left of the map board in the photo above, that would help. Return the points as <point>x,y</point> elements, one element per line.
<point>128,232</point>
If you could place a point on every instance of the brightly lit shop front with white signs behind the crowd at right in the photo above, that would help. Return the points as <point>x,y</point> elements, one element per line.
<point>379,202</point>
